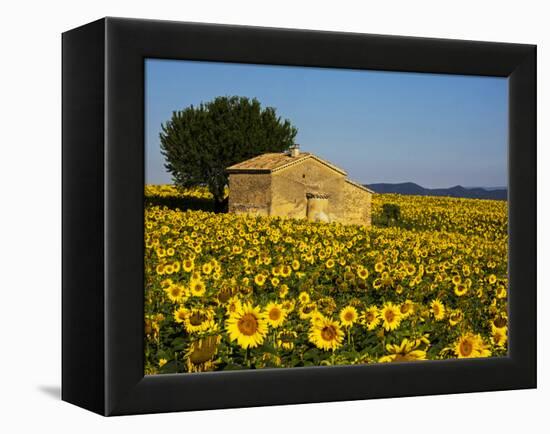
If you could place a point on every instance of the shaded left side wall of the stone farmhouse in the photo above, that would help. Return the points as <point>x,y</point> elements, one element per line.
<point>250,193</point>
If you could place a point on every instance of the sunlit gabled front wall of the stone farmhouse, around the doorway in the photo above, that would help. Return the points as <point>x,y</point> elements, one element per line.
<point>290,186</point>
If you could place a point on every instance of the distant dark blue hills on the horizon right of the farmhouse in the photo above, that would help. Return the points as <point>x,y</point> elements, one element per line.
<point>456,191</point>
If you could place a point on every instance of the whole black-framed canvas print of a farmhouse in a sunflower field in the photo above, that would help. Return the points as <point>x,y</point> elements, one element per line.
<point>257,216</point>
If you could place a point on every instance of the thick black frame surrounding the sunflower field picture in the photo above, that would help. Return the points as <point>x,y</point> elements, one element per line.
<point>103,215</point>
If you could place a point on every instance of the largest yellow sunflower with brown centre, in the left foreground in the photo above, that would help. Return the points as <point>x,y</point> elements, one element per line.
<point>247,326</point>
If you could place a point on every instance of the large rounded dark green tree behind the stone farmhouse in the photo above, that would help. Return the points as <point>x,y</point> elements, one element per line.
<point>200,142</point>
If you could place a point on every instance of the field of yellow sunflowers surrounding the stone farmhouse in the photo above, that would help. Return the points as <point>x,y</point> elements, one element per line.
<point>226,291</point>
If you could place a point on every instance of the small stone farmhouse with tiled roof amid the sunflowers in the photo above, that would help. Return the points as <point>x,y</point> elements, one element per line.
<point>298,185</point>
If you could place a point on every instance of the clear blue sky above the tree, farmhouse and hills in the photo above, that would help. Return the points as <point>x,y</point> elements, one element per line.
<point>435,130</point>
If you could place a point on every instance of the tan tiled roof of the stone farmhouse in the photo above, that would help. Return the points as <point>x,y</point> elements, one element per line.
<point>267,163</point>
